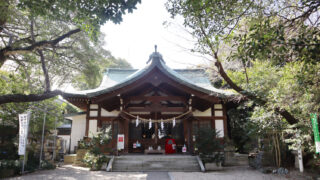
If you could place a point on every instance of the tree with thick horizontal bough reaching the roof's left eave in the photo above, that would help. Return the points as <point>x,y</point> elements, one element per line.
<point>47,33</point>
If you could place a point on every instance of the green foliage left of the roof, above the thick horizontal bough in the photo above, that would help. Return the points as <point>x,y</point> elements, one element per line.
<point>75,58</point>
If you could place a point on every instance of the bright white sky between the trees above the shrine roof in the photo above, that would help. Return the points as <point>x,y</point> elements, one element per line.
<point>135,37</point>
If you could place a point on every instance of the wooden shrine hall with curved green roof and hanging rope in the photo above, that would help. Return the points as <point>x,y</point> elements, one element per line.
<point>145,107</point>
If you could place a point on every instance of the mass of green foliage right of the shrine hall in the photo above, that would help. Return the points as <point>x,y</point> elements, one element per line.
<point>277,44</point>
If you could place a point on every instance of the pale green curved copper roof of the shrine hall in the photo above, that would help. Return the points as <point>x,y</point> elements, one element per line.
<point>114,79</point>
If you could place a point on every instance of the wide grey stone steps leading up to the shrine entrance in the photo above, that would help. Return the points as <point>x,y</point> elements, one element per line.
<point>141,163</point>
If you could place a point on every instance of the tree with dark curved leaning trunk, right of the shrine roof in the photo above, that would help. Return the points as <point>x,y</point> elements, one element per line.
<point>231,23</point>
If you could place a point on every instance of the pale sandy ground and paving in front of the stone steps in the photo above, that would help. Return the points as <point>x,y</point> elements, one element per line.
<point>68,172</point>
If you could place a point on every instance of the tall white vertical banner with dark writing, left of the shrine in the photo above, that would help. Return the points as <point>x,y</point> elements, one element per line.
<point>23,132</point>
